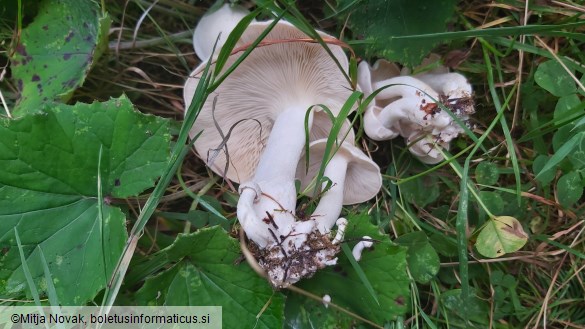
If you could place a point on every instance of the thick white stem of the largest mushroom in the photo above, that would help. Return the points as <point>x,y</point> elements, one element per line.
<point>270,215</point>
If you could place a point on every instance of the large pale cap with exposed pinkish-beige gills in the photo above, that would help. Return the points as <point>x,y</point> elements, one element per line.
<point>273,78</point>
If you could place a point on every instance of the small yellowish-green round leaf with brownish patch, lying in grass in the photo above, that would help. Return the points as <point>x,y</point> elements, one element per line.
<point>501,235</point>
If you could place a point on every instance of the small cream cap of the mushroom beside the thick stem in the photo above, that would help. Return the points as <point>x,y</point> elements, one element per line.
<point>363,179</point>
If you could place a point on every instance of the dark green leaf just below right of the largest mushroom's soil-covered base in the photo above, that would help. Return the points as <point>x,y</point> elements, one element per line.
<point>385,268</point>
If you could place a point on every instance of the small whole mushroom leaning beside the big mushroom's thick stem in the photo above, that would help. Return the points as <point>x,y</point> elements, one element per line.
<point>354,178</point>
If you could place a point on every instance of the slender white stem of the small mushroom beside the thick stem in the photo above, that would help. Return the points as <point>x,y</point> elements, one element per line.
<point>329,207</point>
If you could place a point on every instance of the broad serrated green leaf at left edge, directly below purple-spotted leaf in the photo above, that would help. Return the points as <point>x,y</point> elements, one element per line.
<point>57,151</point>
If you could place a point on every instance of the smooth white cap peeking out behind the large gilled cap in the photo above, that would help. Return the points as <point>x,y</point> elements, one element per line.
<point>223,21</point>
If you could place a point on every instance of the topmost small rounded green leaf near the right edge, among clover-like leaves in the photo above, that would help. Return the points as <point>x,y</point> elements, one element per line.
<point>551,76</point>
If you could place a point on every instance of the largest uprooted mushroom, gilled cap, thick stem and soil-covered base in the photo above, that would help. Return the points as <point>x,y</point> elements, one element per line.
<point>262,107</point>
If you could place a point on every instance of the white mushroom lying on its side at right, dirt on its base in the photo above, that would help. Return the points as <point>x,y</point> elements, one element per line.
<point>412,107</point>
